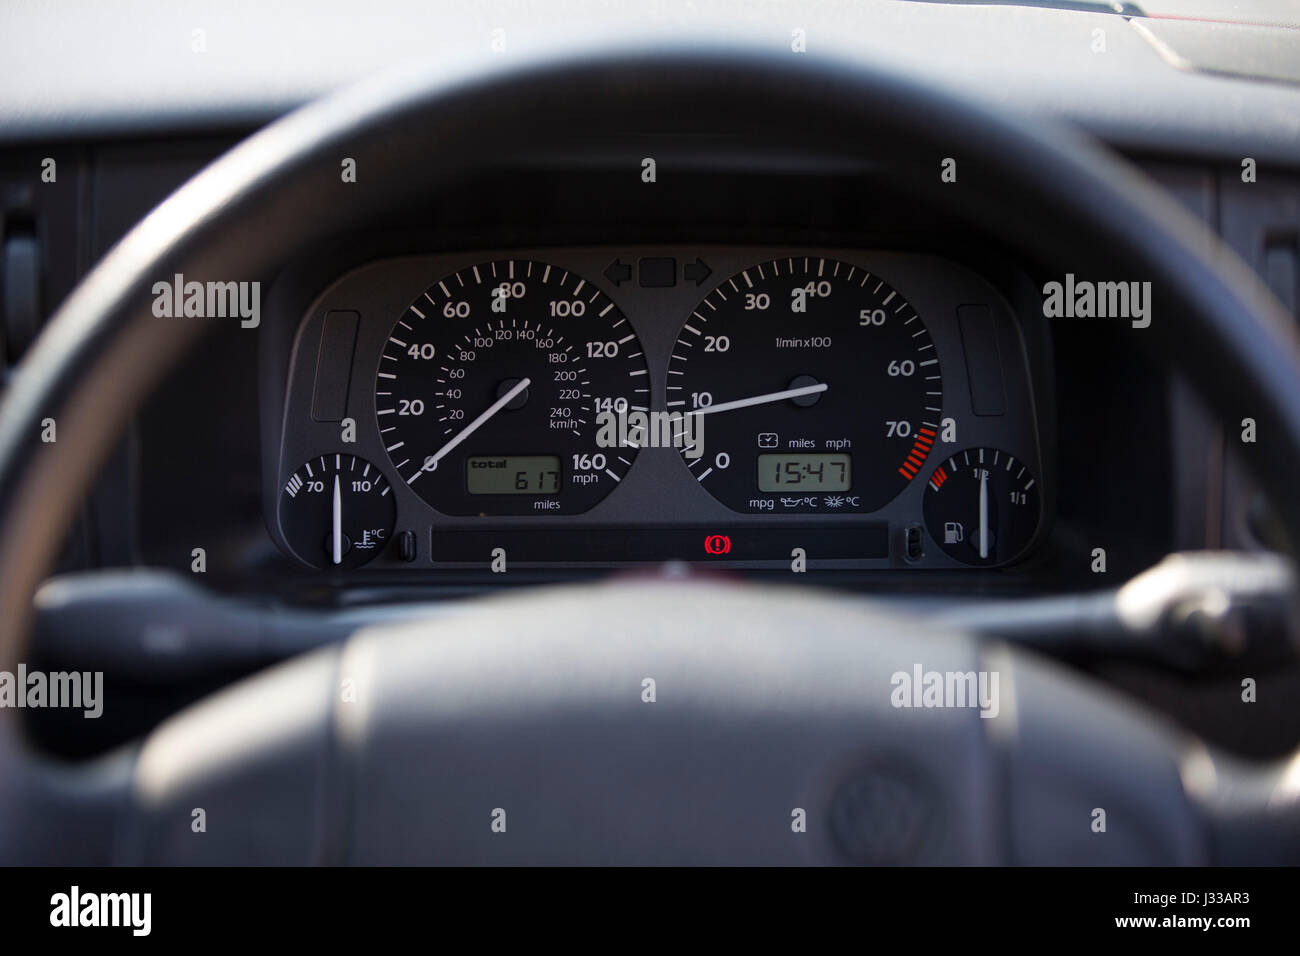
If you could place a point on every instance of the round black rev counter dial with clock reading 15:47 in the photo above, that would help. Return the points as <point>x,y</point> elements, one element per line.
<point>816,384</point>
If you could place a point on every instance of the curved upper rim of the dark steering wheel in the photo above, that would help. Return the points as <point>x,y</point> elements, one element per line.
<point>242,214</point>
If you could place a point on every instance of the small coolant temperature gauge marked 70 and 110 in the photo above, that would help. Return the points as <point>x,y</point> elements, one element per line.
<point>337,512</point>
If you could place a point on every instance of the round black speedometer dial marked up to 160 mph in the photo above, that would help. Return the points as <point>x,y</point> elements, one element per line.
<point>489,387</point>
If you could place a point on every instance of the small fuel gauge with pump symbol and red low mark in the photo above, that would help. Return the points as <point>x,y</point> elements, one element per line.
<point>982,507</point>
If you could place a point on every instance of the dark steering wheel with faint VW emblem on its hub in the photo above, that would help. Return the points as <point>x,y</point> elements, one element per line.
<point>716,724</point>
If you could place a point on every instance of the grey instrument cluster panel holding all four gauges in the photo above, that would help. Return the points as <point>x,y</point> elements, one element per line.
<point>759,406</point>
